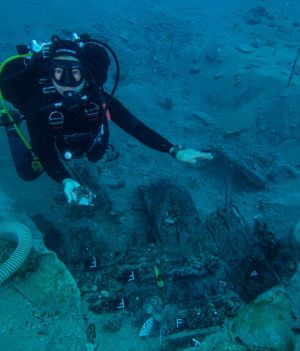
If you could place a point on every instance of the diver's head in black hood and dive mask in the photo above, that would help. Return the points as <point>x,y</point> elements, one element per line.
<point>67,69</point>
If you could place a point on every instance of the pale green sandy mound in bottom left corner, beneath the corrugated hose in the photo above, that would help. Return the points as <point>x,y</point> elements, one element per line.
<point>40,304</point>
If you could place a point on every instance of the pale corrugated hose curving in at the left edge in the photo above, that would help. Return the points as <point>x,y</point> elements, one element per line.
<point>14,231</point>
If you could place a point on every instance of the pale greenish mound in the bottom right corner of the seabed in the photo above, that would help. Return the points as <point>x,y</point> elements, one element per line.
<point>264,324</point>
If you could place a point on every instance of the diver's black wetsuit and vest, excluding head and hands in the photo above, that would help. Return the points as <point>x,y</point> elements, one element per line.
<point>55,131</point>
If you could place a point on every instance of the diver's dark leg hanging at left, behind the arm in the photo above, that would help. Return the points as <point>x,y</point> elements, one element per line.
<point>21,156</point>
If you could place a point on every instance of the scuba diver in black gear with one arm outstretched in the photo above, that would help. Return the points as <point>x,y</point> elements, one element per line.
<point>57,87</point>
